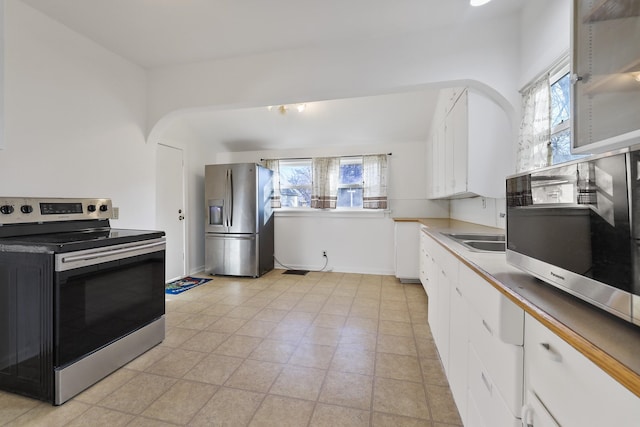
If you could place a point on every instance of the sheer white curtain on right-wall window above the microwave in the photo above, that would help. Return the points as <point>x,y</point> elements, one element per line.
<point>534,144</point>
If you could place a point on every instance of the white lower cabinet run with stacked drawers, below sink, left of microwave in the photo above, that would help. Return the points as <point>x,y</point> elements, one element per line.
<point>465,312</point>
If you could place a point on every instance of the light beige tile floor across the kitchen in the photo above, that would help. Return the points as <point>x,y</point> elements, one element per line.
<point>325,349</point>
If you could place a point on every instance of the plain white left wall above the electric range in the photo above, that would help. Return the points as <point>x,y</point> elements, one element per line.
<point>75,118</point>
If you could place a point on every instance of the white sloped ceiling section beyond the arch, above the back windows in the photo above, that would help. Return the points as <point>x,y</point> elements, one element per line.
<point>392,118</point>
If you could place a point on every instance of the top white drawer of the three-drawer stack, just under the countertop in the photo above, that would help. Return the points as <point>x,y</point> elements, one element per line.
<point>501,316</point>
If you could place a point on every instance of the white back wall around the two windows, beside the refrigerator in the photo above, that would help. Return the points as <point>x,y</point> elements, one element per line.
<point>355,242</point>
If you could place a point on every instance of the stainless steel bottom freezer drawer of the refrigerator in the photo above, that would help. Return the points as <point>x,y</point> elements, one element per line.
<point>232,254</point>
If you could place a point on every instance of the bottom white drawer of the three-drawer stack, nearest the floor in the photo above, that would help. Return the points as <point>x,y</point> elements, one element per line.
<point>484,400</point>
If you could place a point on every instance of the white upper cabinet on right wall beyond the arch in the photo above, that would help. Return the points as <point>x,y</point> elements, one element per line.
<point>470,146</point>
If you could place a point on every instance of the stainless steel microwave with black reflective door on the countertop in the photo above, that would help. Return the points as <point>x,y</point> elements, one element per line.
<point>577,226</point>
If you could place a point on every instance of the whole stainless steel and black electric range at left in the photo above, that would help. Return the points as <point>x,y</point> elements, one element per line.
<point>78,299</point>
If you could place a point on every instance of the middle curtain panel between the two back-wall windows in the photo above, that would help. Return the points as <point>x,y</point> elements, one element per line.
<point>325,174</point>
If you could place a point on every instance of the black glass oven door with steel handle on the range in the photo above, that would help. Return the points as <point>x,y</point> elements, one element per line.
<point>104,294</point>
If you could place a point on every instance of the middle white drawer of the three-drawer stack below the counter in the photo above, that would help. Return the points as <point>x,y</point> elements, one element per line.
<point>503,362</point>
